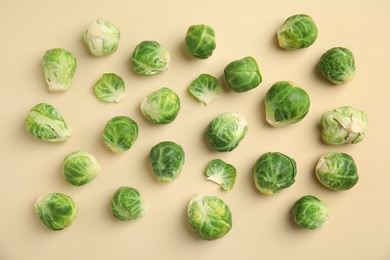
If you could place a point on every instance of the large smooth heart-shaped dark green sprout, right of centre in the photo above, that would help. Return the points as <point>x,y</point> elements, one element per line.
<point>286,103</point>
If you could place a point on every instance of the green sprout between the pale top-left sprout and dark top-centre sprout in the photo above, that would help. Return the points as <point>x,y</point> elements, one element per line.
<point>150,58</point>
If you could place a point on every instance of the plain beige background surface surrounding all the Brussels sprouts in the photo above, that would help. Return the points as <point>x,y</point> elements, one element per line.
<point>359,227</point>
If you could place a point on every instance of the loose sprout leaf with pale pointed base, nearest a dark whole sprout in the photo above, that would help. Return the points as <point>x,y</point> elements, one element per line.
<point>205,88</point>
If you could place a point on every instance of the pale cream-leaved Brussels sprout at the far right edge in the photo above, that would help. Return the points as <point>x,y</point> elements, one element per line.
<point>343,125</point>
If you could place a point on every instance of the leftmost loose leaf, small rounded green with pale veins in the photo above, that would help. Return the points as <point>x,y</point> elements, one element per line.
<point>110,88</point>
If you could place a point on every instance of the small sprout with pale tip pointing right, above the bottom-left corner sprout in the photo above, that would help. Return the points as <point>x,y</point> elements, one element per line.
<point>80,167</point>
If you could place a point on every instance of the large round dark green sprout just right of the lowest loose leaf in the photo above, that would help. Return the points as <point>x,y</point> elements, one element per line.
<point>274,172</point>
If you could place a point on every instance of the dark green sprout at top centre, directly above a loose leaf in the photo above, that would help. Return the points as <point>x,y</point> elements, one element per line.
<point>200,41</point>
